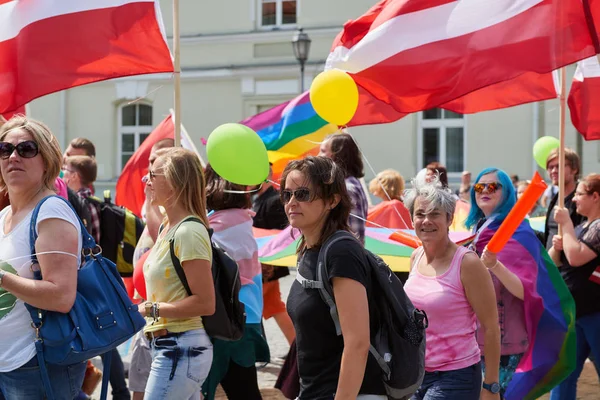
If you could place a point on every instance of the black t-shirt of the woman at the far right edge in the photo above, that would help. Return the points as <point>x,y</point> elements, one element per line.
<point>585,292</point>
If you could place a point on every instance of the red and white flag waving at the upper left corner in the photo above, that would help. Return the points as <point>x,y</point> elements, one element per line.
<point>51,45</point>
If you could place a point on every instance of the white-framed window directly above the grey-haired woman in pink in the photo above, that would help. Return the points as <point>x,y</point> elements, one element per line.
<point>442,139</point>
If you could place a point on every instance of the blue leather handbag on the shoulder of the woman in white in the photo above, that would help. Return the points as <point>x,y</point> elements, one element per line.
<point>102,317</point>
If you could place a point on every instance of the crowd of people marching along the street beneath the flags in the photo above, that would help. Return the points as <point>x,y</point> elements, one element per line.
<point>475,299</point>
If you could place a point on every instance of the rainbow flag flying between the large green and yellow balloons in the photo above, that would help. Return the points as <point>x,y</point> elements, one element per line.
<point>291,130</point>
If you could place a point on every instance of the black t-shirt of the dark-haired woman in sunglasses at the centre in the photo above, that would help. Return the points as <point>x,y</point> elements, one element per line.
<point>319,347</point>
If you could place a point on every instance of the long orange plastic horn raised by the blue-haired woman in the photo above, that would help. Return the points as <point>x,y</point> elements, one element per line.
<point>518,213</point>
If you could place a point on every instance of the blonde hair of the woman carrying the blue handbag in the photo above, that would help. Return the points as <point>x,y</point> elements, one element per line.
<point>47,144</point>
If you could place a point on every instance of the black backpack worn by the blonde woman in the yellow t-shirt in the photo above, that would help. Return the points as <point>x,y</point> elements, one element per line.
<point>227,323</point>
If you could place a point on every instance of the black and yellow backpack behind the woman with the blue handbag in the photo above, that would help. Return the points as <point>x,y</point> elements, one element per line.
<point>120,230</point>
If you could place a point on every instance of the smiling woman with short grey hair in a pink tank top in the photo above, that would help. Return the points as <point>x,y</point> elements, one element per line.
<point>452,286</point>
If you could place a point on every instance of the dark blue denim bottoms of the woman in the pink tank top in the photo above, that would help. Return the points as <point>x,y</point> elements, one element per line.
<point>459,384</point>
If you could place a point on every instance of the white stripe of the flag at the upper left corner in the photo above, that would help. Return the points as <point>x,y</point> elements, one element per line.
<point>16,15</point>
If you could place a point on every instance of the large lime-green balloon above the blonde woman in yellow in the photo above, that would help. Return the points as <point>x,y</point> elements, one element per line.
<point>238,154</point>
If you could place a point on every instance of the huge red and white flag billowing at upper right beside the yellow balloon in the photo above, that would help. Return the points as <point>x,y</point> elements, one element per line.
<point>413,55</point>
